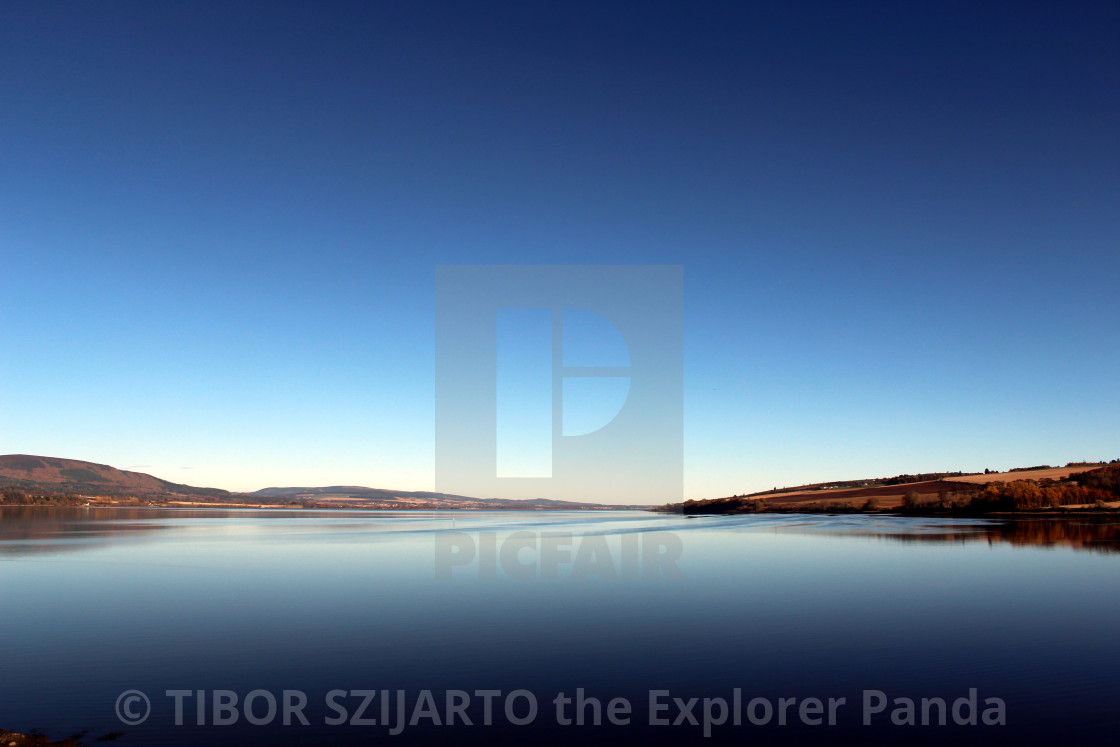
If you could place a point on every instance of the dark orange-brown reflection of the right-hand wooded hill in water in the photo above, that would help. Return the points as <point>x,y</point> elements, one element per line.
<point>1095,535</point>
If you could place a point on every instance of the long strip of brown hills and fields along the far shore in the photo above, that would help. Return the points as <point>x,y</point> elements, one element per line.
<point>1078,489</point>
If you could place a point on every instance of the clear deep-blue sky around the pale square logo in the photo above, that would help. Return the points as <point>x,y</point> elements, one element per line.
<point>900,225</point>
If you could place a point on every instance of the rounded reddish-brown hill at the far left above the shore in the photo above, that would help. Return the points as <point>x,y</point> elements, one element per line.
<point>51,475</point>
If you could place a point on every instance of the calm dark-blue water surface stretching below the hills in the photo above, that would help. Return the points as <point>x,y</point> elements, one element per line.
<point>99,602</point>
